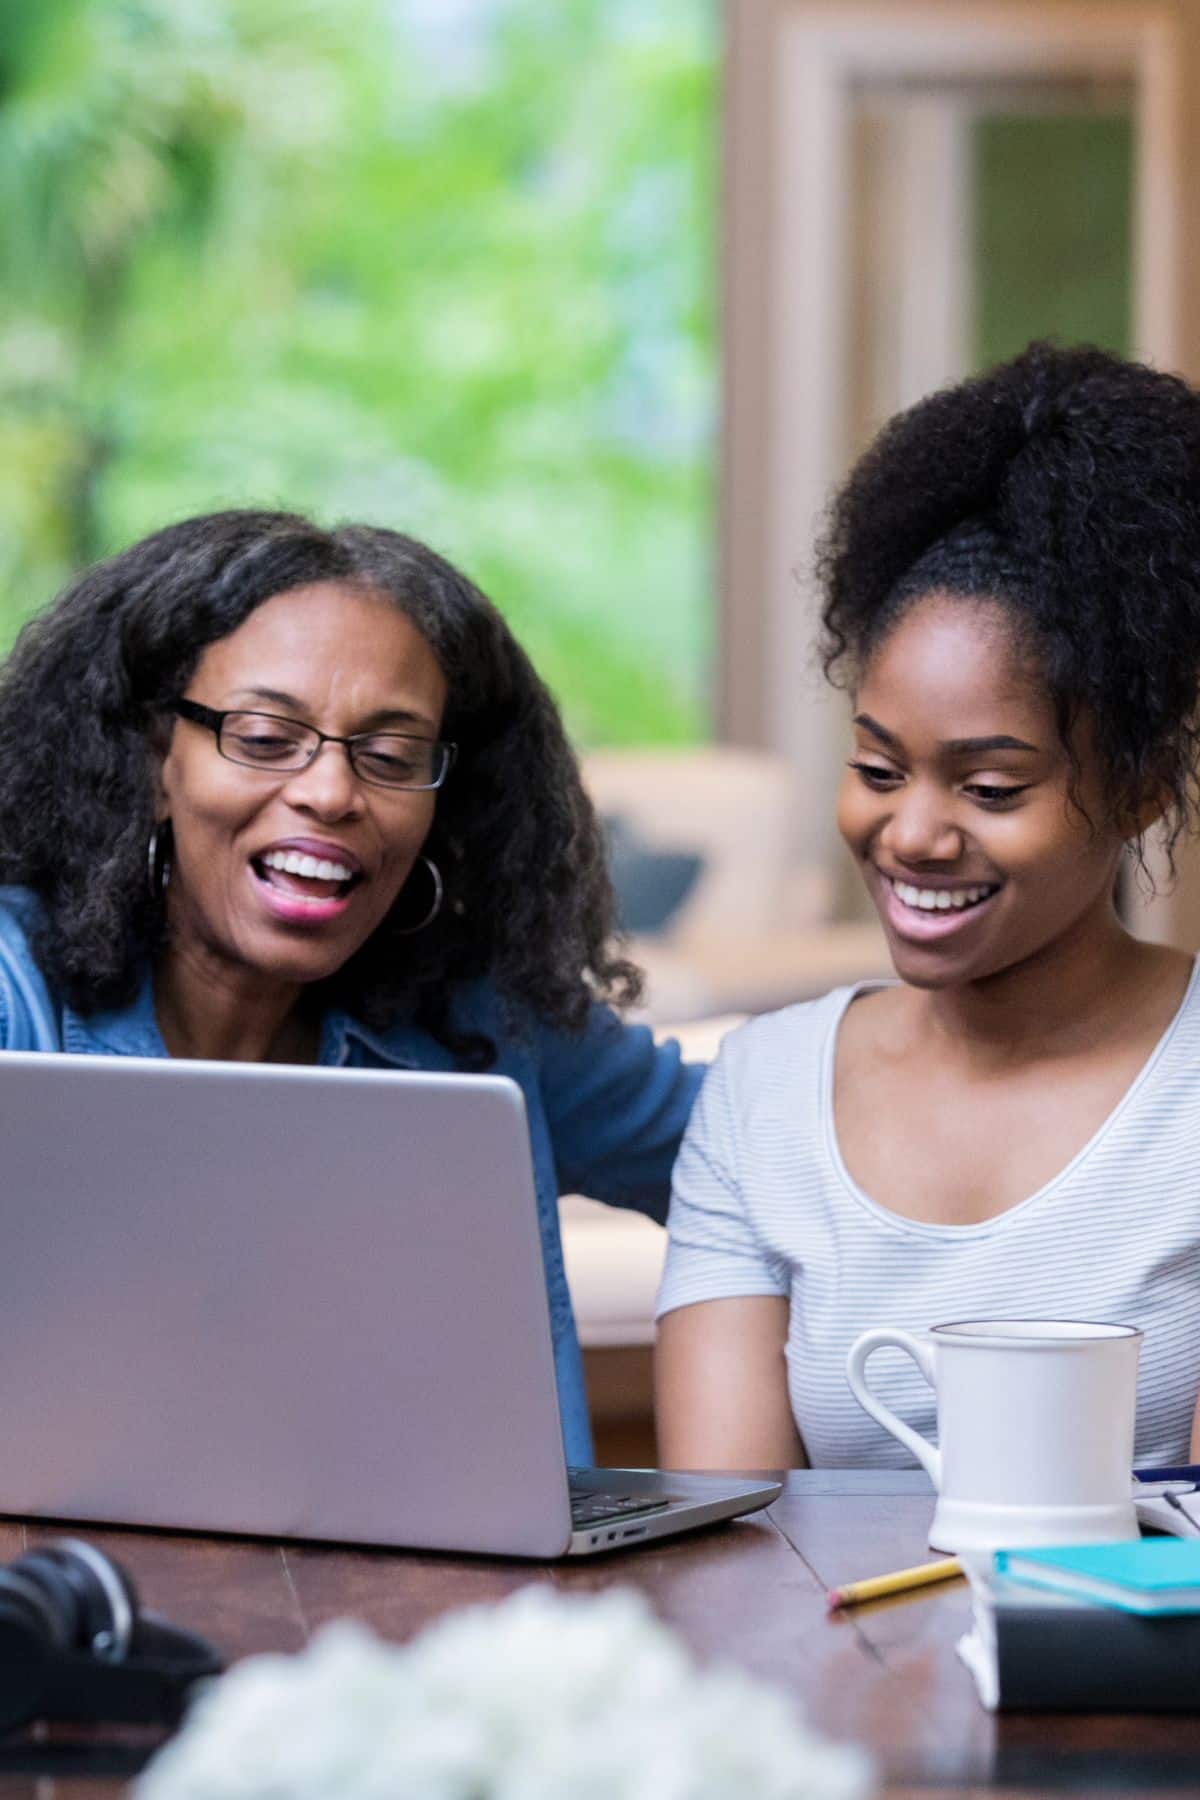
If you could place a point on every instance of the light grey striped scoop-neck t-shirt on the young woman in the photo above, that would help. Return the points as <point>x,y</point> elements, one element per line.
<point>766,1205</point>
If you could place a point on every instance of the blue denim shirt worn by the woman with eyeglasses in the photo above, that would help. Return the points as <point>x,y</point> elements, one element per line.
<point>607,1106</point>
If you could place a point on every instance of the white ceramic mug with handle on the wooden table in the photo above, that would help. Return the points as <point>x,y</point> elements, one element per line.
<point>1035,1423</point>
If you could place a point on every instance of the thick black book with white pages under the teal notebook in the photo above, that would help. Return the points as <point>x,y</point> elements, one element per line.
<point>1034,1650</point>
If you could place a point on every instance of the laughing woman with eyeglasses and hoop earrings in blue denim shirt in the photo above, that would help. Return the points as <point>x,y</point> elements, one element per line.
<point>283,795</point>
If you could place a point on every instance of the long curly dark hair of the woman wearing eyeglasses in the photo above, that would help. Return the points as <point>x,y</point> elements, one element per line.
<point>515,836</point>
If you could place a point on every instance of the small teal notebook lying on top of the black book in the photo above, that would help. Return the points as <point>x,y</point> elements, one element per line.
<point>1142,1576</point>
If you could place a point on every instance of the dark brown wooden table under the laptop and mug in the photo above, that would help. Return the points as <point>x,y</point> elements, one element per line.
<point>884,1675</point>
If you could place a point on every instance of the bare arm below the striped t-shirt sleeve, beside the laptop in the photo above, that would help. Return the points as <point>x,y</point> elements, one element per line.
<point>722,1387</point>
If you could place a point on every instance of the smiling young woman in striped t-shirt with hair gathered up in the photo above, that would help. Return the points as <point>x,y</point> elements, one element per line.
<point>1014,1126</point>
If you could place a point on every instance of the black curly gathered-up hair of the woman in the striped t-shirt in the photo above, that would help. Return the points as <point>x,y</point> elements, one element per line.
<point>1064,485</point>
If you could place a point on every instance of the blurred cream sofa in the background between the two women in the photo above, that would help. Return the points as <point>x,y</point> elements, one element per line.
<point>755,933</point>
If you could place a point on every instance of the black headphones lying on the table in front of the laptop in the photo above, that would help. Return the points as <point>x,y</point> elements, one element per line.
<point>75,1644</point>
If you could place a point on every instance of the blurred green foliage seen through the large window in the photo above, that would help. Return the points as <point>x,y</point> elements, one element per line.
<point>434,264</point>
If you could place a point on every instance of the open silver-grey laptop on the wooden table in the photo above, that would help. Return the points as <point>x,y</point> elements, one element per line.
<point>292,1302</point>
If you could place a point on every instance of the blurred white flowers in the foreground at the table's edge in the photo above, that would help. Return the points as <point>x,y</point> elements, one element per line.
<point>539,1698</point>
